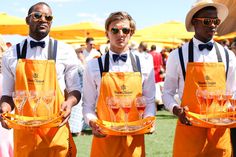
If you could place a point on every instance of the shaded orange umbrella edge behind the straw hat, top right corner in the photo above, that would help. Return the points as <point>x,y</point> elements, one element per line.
<point>229,25</point>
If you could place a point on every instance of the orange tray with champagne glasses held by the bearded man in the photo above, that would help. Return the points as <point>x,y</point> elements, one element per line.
<point>41,113</point>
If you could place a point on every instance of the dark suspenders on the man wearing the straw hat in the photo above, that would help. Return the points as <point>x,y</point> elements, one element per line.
<point>191,58</point>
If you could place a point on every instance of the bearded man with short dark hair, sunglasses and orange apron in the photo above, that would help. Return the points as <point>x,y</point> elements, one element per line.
<point>41,64</point>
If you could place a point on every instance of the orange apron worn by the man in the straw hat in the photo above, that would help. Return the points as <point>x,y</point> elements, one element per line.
<point>193,141</point>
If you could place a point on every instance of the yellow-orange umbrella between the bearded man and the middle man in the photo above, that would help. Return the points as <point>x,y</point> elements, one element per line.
<point>83,29</point>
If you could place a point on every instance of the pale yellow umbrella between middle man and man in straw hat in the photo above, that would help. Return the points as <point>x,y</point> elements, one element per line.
<point>171,29</point>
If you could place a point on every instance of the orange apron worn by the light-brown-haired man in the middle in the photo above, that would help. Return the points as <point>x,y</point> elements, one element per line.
<point>118,84</point>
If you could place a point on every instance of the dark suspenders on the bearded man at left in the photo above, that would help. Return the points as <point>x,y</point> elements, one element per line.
<point>52,50</point>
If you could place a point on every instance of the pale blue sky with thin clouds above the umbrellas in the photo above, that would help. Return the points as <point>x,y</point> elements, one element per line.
<point>145,12</point>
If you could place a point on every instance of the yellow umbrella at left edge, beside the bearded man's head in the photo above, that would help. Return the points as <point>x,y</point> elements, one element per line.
<point>12,25</point>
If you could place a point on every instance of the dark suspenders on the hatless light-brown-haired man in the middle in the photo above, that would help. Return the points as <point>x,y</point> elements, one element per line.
<point>136,65</point>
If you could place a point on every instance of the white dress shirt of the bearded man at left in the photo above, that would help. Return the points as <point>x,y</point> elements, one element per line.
<point>67,65</point>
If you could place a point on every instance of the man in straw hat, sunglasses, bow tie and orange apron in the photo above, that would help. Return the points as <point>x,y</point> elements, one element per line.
<point>199,63</point>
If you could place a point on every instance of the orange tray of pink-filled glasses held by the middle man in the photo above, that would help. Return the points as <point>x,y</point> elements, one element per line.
<point>123,104</point>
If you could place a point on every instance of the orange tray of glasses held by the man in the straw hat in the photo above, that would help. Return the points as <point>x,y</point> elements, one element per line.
<point>217,109</point>
